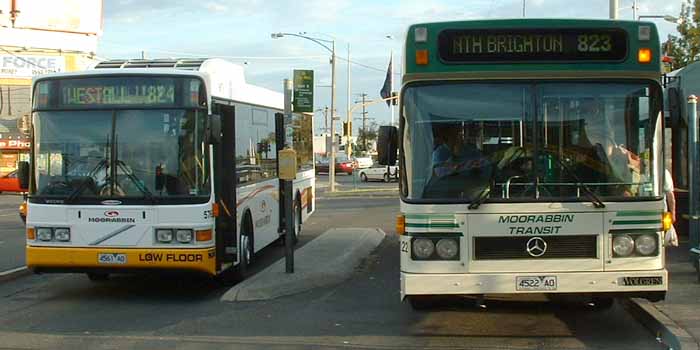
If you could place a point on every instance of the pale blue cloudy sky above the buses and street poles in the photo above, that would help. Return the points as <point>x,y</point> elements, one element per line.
<point>239,30</point>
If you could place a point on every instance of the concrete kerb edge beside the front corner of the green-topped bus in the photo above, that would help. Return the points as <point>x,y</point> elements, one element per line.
<point>665,329</point>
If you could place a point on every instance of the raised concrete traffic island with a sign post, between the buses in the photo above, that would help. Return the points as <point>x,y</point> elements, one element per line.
<point>327,260</point>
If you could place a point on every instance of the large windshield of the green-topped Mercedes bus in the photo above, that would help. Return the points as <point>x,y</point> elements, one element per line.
<point>519,141</point>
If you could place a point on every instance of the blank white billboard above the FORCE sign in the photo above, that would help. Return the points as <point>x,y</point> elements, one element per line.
<point>74,16</point>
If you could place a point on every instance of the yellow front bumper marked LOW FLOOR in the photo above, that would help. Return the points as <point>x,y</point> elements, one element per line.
<point>62,259</point>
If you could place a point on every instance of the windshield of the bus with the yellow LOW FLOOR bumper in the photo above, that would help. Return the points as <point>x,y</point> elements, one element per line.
<point>136,154</point>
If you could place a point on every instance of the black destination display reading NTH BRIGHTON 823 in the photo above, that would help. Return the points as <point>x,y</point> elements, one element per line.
<point>543,45</point>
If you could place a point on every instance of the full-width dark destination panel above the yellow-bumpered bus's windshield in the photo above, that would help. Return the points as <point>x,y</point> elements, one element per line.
<point>107,92</point>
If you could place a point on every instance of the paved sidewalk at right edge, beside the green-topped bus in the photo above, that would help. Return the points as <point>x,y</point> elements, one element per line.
<point>682,304</point>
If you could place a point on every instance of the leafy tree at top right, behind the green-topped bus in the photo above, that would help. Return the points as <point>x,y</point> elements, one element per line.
<point>685,49</point>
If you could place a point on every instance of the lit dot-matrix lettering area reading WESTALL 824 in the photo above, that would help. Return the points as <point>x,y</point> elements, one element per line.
<point>143,93</point>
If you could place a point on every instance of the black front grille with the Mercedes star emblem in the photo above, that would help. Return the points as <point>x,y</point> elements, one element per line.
<point>557,247</point>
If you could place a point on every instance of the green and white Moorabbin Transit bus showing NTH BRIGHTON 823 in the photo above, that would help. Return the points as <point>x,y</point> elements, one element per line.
<point>531,159</point>
